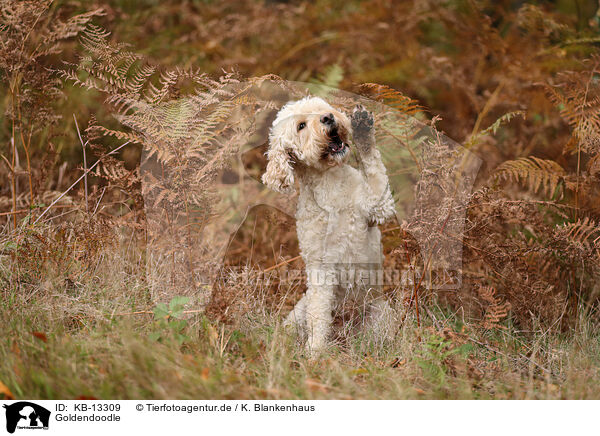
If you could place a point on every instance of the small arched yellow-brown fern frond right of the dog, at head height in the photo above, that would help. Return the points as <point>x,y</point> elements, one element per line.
<point>535,173</point>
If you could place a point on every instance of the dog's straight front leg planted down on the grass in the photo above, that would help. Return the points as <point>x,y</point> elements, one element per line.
<point>319,305</point>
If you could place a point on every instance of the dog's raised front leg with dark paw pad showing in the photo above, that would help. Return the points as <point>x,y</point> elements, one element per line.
<point>380,200</point>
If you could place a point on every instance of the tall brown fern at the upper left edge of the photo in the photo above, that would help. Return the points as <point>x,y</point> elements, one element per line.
<point>30,31</point>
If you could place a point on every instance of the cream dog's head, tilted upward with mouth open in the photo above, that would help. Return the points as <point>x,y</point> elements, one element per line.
<point>307,132</point>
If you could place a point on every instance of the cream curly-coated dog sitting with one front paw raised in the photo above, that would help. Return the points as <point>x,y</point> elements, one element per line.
<point>338,209</point>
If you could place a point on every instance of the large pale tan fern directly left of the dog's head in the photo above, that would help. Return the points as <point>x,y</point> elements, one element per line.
<point>188,130</point>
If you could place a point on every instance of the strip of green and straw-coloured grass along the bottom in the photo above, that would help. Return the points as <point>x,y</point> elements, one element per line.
<point>94,350</point>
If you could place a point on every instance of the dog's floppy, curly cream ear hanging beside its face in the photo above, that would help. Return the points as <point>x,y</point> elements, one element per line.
<point>279,175</point>
